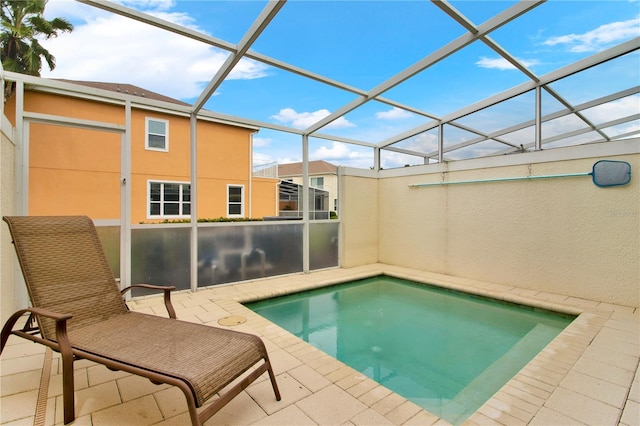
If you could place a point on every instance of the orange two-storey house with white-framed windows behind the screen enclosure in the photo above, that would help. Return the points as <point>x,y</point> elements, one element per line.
<point>78,171</point>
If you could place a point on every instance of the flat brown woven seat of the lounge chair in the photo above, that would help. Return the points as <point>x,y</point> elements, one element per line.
<point>208,358</point>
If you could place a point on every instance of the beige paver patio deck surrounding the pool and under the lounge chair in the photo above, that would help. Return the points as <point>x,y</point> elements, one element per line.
<point>587,375</point>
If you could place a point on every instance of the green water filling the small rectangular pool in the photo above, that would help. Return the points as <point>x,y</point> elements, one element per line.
<point>446,351</point>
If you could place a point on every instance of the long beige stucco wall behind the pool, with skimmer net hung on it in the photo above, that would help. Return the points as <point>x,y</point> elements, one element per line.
<point>563,235</point>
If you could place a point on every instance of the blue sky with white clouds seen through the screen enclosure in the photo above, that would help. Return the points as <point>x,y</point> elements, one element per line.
<point>360,43</point>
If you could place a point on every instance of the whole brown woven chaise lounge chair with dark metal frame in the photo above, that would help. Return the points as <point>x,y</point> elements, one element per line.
<point>81,314</point>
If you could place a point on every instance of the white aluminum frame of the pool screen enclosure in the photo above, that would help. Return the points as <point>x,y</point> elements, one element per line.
<point>474,33</point>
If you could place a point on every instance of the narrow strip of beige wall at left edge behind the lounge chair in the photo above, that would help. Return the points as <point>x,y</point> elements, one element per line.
<point>7,207</point>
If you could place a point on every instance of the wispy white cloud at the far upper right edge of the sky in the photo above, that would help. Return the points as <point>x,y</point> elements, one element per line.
<point>599,38</point>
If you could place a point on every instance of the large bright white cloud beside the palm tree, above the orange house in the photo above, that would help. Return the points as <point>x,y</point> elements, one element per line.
<point>100,49</point>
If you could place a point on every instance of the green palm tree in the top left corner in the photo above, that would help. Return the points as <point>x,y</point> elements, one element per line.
<point>23,24</point>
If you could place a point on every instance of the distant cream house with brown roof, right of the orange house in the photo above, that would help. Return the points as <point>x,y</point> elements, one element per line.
<point>322,175</point>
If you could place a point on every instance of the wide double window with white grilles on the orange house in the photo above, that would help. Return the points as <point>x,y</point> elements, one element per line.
<point>169,199</point>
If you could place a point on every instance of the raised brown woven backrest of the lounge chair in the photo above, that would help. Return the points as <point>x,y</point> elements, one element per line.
<point>65,269</point>
